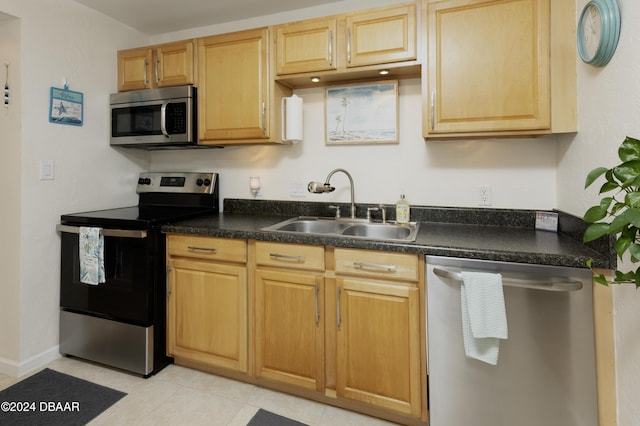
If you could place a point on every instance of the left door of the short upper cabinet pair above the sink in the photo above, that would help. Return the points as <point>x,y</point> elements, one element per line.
<point>306,46</point>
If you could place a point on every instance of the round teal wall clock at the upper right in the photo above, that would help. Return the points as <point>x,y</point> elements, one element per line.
<point>598,31</point>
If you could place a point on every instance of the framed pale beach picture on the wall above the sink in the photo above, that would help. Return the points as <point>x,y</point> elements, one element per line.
<point>362,113</point>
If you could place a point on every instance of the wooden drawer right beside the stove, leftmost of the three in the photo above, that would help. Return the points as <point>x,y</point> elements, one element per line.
<point>207,248</point>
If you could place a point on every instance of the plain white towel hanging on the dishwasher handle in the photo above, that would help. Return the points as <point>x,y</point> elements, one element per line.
<point>484,317</point>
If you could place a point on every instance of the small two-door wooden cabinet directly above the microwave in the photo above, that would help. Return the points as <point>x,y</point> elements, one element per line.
<point>171,64</point>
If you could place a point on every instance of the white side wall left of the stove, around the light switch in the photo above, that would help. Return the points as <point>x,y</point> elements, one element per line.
<point>54,40</point>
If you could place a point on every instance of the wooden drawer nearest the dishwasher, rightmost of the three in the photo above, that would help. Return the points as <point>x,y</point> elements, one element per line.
<point>377,264</point>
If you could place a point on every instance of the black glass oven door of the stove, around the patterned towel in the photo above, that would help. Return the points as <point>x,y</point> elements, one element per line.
<point>128,291</point>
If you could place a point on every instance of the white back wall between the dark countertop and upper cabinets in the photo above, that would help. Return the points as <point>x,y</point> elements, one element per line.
<point>521,173</point>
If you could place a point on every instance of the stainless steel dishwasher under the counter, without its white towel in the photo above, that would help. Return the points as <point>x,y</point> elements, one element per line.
<point>546,368</point>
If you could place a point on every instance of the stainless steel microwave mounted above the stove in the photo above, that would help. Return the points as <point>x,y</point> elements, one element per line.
<point>155,118</point>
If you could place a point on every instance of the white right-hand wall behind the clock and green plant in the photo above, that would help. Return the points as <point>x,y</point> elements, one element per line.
<point>609,110</point>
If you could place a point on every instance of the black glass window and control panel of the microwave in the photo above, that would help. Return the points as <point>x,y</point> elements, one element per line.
<point>146,120</point>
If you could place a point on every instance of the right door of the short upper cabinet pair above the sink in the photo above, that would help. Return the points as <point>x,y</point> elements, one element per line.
<point>381,36</point>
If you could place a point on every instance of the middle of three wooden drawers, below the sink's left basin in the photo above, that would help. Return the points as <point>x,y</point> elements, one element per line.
<point>295,256</point>
